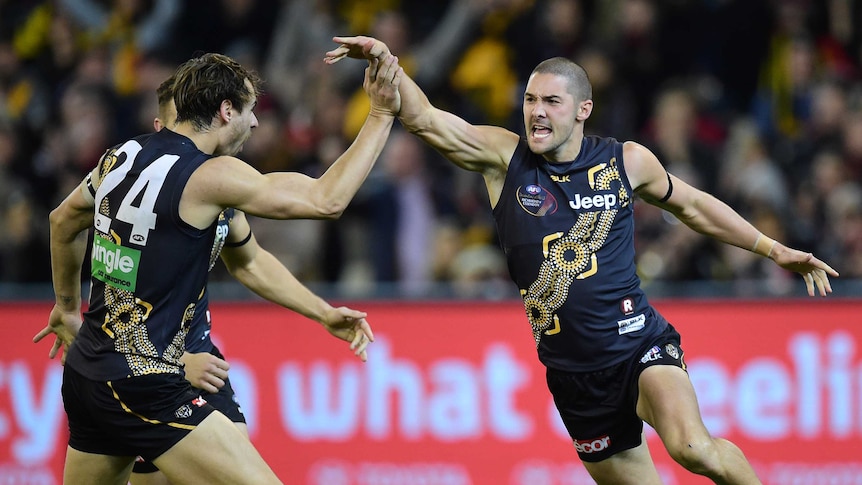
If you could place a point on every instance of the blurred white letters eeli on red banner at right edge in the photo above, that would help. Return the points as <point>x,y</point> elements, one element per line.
<point>760,400</point>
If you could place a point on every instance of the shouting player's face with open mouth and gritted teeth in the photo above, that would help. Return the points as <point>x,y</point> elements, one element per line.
<point>549,117</point>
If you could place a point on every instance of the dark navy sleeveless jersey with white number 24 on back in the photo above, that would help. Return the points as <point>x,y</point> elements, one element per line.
<point>149,268</point>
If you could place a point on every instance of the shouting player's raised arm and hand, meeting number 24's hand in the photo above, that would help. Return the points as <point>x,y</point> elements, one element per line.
<point>483,149</point>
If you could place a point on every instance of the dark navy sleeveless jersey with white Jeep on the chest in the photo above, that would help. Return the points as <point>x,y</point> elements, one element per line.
<point>567,230</point>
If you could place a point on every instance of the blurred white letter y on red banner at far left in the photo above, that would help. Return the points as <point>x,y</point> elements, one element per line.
<point>36,415</point>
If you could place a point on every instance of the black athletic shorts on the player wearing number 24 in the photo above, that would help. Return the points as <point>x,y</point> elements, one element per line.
<point>137,416</point>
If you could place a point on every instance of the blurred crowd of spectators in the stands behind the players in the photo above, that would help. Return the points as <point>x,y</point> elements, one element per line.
<point>756,101</point>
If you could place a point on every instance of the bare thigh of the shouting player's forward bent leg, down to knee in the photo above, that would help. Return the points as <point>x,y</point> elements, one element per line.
<point>667,402</point>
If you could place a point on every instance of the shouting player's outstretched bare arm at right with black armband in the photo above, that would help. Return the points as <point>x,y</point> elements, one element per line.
<point>707,215</point>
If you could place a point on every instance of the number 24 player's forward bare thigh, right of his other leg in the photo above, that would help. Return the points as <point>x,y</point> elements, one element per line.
<point>215,452</point>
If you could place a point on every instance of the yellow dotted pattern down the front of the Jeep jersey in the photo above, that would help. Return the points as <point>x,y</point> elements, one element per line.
<point>571,255</point>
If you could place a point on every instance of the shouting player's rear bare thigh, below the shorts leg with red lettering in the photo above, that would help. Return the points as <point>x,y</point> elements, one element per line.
<point>629,467</point>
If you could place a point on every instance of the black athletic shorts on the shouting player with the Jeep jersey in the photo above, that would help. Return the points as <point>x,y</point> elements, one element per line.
<point>599,408</point>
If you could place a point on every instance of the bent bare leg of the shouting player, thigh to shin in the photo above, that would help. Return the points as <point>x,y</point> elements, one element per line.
<point>666,400</point>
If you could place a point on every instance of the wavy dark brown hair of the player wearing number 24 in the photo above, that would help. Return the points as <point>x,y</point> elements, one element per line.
<point>202,83</point>
